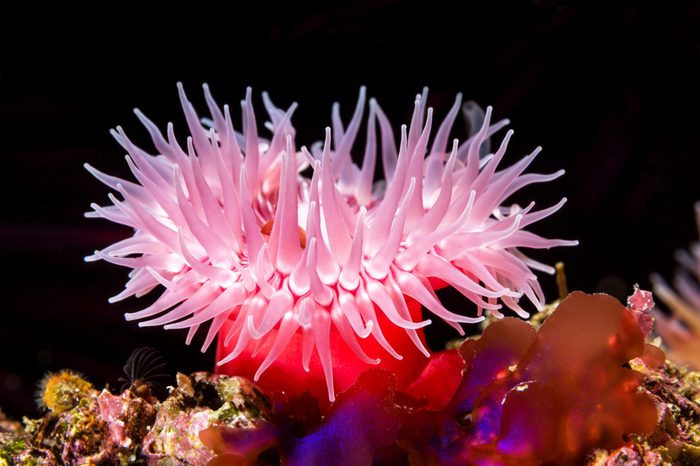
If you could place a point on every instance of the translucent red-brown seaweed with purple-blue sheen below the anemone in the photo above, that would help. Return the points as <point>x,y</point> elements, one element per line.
<point>518,395</point>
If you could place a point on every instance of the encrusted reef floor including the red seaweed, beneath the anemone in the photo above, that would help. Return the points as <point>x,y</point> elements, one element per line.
<point>580,386</point>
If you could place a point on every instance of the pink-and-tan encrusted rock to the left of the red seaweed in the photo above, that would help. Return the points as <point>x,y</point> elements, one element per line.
<point>126,429</point>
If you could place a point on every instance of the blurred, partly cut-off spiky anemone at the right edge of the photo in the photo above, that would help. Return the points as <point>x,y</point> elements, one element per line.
<point>681,331</point>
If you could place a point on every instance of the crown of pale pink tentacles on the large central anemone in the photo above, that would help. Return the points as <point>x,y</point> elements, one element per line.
<point>237,236</point>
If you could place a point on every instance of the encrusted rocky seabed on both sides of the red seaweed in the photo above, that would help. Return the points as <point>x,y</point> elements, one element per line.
<point>124,429</point>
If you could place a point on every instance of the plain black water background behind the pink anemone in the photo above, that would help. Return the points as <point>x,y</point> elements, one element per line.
<point>610,93</point>
